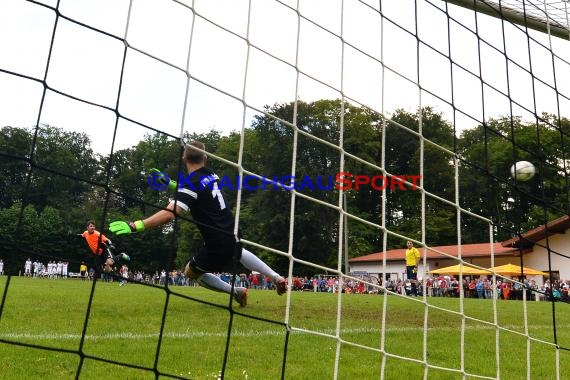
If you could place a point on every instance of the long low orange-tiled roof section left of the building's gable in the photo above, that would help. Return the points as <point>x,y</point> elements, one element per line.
<point>467,250</point>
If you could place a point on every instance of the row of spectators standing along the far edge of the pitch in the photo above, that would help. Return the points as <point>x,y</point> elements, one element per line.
<point>441,286</point>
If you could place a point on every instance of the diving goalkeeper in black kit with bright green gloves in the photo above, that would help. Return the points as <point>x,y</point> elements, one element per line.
<point>205,202</point>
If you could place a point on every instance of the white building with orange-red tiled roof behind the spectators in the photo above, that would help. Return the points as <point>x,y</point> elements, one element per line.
<point>538,246</point>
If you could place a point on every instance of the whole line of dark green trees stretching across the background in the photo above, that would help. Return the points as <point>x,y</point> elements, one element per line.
<point>52,182</point>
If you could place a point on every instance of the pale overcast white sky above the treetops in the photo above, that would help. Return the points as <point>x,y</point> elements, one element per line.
<point>217,65</point>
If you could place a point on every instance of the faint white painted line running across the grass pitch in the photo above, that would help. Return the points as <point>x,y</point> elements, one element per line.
<point>250,333</point>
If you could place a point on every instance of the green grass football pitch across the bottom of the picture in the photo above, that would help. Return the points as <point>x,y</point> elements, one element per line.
<point>42,324</point>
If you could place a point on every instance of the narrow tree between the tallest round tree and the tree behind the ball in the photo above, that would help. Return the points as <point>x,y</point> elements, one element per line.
<point>404,156</point>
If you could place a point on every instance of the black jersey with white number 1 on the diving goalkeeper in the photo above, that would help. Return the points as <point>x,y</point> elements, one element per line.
<point>199,193</point>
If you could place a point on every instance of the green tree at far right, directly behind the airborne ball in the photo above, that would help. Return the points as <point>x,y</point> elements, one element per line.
<point>489,150</point>
